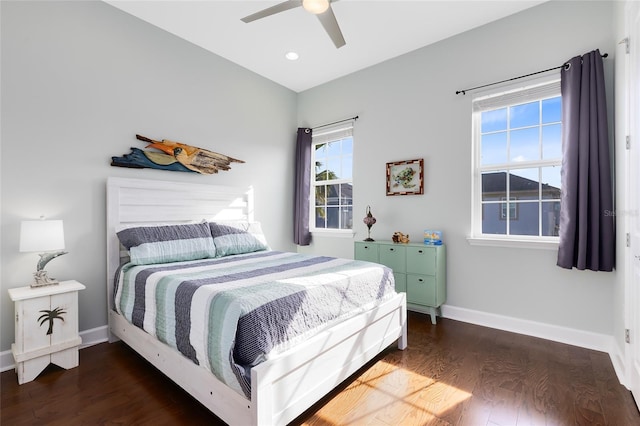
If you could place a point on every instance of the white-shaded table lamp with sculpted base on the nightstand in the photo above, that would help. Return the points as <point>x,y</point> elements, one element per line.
<point>47,238</point>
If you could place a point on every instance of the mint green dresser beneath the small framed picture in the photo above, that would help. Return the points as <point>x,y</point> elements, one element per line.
<point>419,270</point>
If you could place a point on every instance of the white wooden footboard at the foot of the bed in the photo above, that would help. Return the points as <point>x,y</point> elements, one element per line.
<point>289,384</point>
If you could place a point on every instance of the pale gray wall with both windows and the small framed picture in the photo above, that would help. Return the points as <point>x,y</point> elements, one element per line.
<point>408,109</point>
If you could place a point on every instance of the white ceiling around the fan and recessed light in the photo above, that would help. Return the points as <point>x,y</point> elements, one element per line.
<point>374,31</point>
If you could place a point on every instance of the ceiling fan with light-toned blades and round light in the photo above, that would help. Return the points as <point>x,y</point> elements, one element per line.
<point>320,8</point>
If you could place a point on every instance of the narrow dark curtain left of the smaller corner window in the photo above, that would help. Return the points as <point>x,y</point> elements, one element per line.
<point>301,234</point>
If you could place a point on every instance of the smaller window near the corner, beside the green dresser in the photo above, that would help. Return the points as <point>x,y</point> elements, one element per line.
<point>332,179</point>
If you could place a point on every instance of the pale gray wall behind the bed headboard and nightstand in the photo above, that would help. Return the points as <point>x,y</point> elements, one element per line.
<point>79,80</point>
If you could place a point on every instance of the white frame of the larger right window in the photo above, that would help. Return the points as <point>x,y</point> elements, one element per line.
<point>525,90</point>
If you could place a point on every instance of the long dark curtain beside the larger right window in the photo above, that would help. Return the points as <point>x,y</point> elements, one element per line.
<point>587,234</point>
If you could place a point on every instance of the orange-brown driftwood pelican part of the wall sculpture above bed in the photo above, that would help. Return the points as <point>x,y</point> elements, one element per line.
<point>193,158</point>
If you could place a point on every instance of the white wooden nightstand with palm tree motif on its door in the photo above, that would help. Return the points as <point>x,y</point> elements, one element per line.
<point>46,328</point>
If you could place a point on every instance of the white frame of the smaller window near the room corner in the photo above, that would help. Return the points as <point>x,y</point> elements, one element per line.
<point>327,134</point>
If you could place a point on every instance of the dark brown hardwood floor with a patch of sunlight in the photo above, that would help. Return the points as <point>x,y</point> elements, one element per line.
<point>452,373</point>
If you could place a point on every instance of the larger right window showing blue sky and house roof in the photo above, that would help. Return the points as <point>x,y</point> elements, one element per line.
<point>517,156</point>
